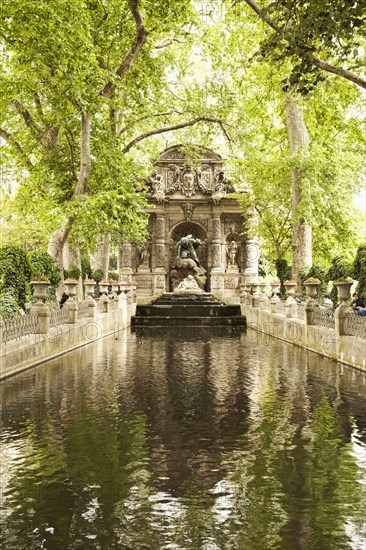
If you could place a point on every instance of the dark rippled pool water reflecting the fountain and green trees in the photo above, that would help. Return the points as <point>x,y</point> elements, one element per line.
<point>191,440</point>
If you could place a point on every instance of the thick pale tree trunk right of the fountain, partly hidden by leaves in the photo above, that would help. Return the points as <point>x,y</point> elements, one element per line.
<point>298,138</point>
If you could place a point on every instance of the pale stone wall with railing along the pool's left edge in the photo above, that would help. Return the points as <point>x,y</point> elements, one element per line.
<point>48,332</point>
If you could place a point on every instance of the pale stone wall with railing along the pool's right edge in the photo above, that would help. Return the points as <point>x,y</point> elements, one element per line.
<point>325,340</point>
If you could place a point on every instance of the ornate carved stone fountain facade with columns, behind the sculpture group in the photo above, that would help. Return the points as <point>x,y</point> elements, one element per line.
<point>188,195</point>
